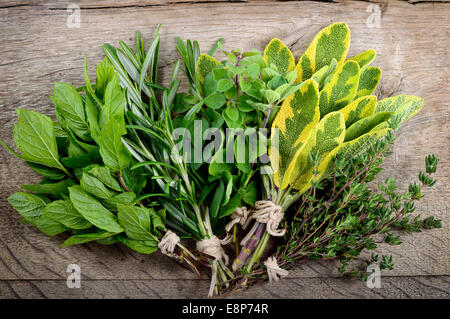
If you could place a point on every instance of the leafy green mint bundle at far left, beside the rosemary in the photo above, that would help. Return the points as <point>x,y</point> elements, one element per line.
<point>90,187</point>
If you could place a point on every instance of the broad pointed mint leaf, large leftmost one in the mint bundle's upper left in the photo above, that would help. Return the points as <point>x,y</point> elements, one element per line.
<point>34,136</point>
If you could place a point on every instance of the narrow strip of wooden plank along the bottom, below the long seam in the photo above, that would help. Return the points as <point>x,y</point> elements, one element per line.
<point>392,287</point>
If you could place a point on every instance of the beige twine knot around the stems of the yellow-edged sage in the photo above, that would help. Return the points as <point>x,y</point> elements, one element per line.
<point>267,212</point>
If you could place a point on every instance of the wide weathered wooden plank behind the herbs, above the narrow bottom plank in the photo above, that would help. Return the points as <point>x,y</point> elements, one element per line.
<point>38,48</point>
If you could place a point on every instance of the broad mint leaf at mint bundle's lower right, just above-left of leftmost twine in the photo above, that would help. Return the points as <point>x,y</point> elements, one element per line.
<point>135,221</point>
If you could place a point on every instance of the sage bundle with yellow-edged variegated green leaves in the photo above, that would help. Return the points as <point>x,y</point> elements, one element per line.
<point>331,114</point>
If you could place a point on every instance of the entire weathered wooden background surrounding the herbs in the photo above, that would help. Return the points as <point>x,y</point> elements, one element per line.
<point>38,48</point>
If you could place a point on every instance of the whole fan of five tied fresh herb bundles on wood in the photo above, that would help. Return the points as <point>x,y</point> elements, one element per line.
<point>131,160</point>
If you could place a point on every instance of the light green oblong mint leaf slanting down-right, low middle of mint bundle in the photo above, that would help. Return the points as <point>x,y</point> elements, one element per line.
<point>93,211</point>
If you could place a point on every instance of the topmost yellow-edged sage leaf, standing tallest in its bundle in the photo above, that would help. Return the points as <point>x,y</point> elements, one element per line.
<point>330,43</point>
